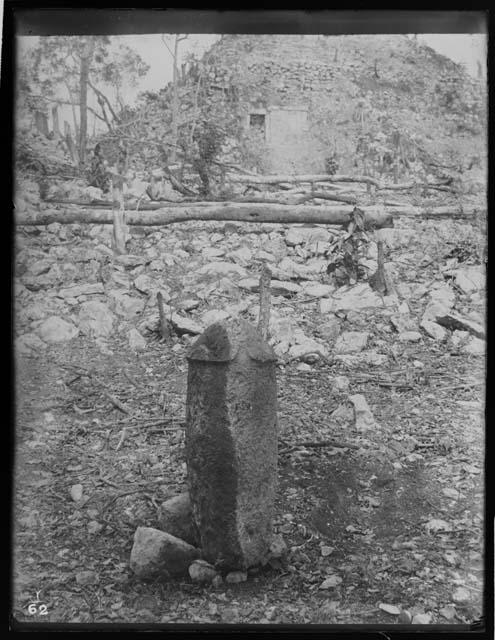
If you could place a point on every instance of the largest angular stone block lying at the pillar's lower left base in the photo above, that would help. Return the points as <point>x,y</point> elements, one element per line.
<point>157,554</point>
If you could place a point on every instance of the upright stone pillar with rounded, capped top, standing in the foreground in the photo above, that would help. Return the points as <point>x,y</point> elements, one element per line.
<point>231,443</point>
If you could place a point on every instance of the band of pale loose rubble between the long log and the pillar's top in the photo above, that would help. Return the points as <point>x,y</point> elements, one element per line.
<point>69,283</point>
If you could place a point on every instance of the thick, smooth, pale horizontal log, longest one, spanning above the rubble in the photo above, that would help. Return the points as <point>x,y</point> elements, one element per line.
<point>262,213</point>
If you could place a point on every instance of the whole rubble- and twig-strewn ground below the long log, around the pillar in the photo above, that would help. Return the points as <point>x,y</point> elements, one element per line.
<point>381,421</point>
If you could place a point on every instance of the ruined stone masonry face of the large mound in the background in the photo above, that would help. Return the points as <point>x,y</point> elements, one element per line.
<point>330,75</point>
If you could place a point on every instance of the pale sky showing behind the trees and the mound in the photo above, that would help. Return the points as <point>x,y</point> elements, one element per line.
<point>462,48</point>
